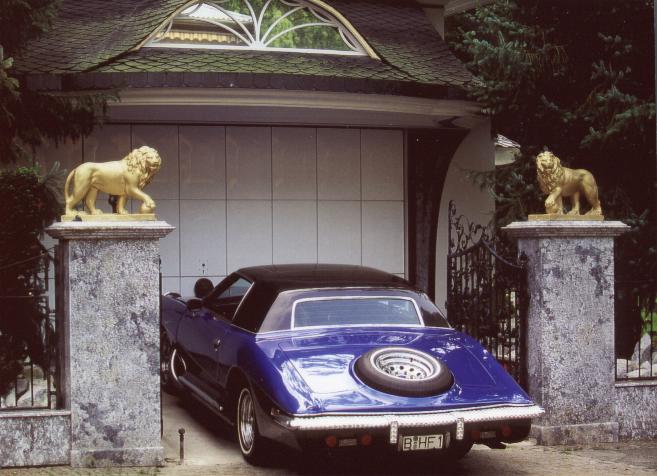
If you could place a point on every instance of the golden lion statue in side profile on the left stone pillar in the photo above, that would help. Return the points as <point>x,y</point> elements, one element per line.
<point>123,178</point>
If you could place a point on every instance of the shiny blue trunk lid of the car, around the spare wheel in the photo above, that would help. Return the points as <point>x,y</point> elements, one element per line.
<point>324,359</point>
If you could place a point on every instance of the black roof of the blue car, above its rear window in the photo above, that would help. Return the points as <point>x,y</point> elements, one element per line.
<point>269,281</point>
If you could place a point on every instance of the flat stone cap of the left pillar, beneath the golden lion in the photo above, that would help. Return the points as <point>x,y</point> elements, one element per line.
<point>119,230</point>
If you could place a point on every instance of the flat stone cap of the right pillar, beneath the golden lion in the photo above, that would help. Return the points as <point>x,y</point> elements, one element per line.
<point>571,229</point>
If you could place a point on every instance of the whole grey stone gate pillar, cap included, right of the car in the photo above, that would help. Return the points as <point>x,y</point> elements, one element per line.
<point>570,328</point>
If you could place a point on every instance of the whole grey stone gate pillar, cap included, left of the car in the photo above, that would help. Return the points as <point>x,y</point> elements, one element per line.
<point>111,340</point>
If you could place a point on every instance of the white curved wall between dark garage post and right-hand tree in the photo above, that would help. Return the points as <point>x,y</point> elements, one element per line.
<point>476,152</point>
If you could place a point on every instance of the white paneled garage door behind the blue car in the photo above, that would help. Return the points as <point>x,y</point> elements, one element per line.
<point>241,196</point>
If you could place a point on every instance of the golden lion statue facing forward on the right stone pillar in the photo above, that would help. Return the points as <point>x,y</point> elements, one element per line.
<point>559,182</point>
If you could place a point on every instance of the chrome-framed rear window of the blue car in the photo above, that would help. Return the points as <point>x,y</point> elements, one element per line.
<point>335,311</point>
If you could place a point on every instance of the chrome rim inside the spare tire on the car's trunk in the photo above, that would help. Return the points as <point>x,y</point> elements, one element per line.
<point>405,364</point>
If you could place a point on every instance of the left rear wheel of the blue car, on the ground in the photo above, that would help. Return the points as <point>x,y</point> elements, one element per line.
<point>252,445</point>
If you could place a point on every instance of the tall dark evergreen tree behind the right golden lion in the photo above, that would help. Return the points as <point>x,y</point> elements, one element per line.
<point>577,78</point>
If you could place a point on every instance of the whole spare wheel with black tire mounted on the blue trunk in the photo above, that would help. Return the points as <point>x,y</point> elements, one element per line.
<point>403,371</point>
